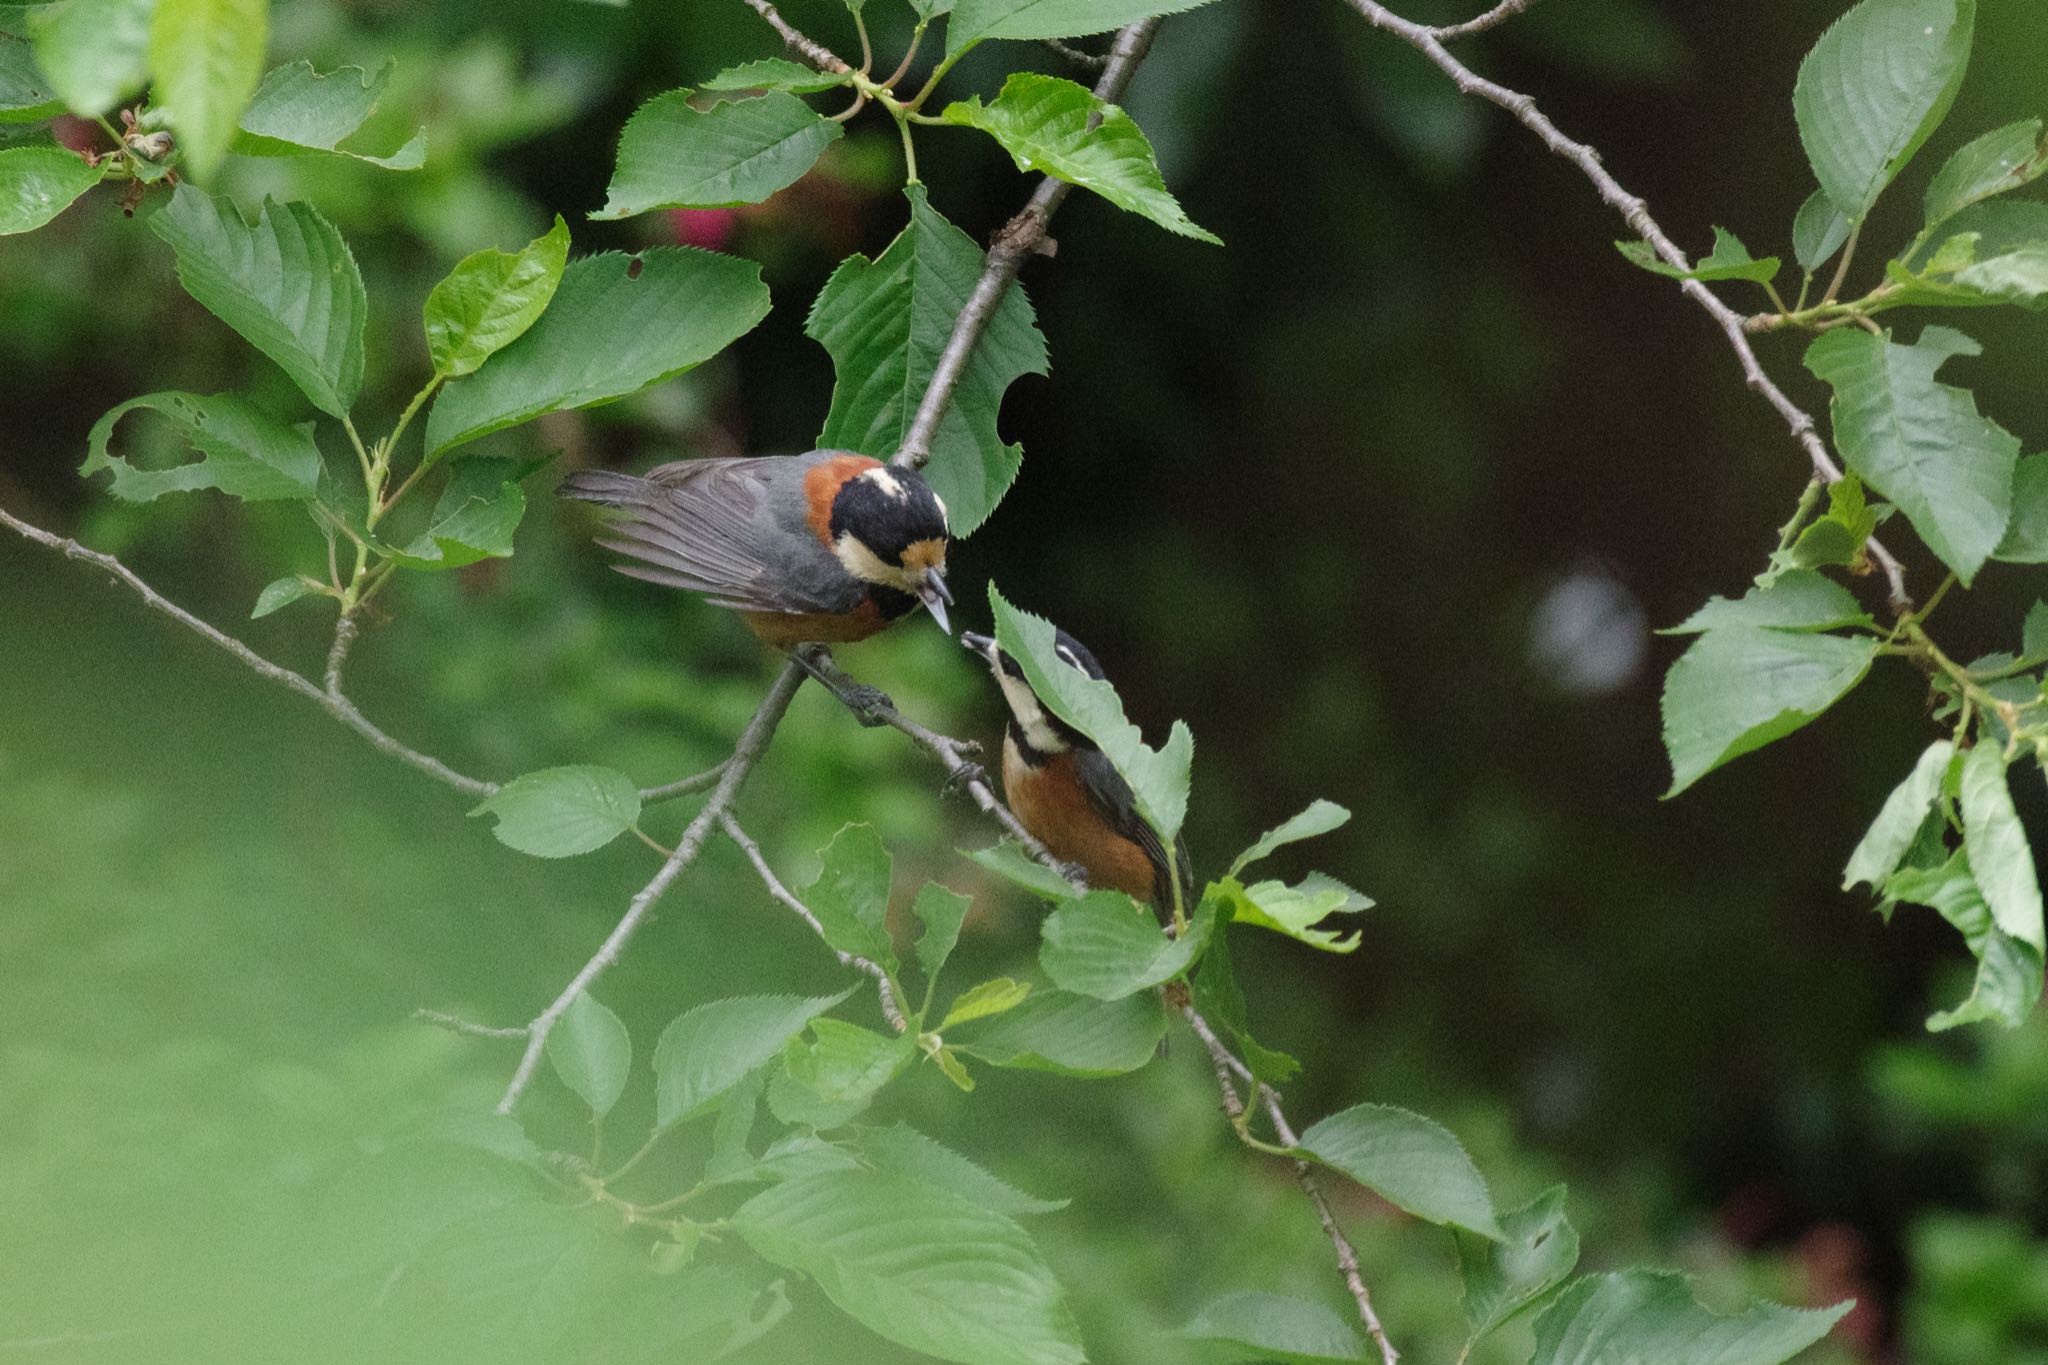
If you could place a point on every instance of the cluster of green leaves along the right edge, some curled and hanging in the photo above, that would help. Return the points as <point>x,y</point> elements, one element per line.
<point>1871,93</point>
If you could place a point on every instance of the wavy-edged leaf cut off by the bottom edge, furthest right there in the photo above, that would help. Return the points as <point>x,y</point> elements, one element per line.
<point>1652,1317</point>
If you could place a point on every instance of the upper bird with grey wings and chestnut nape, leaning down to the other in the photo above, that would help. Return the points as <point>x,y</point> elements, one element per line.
<point>810,549</point>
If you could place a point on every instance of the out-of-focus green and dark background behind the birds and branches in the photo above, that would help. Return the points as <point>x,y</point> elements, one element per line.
<point>1383,498</point>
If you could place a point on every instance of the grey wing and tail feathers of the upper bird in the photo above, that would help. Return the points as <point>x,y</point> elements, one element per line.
<point>714,527</point>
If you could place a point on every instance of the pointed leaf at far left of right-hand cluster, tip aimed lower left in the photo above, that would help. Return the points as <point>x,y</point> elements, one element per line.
<point>1742,687</point>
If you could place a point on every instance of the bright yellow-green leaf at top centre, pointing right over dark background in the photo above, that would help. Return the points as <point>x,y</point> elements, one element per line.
<point>1062,130</point>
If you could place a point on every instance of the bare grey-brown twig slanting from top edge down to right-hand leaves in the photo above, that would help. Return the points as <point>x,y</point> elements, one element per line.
<point>1637,216</point>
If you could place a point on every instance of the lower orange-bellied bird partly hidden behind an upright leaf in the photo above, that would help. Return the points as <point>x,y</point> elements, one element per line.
<point>1068,795</point>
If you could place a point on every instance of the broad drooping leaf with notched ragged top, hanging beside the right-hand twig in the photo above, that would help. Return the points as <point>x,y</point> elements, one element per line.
<point>1922,443</point>
